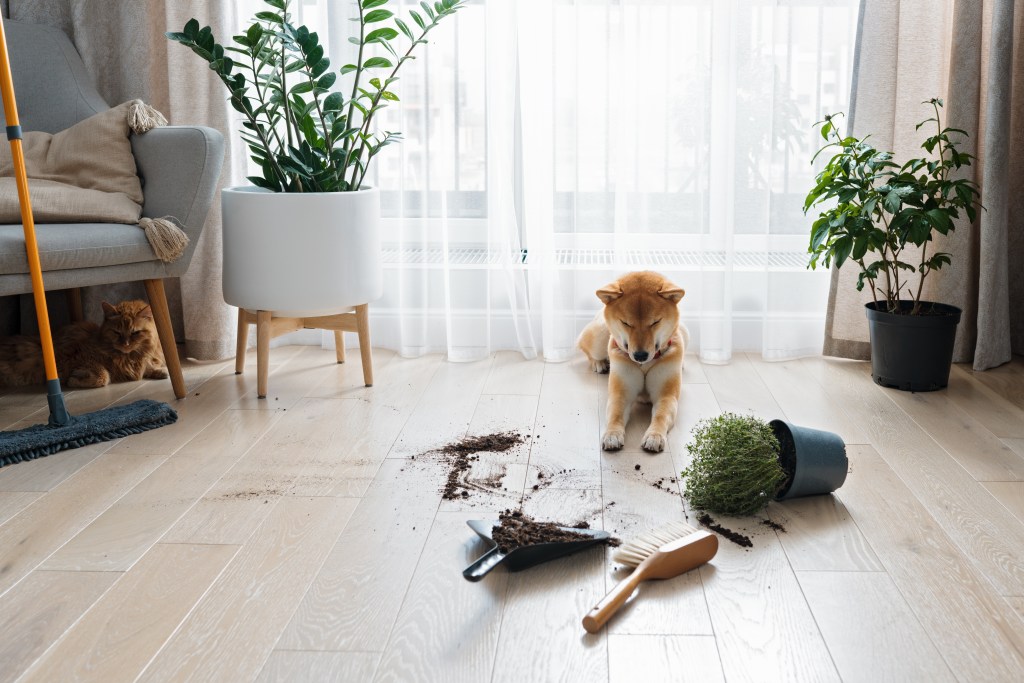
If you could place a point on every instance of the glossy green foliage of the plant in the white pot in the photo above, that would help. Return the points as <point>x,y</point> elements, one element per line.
<point>303,135</point>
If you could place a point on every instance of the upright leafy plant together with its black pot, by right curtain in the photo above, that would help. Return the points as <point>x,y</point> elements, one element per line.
<point>884,218</point>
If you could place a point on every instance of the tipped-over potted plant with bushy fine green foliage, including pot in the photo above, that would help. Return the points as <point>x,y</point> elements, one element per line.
<point>740,463</point>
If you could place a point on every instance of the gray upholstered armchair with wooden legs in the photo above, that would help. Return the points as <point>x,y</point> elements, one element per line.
<point>180,167</point>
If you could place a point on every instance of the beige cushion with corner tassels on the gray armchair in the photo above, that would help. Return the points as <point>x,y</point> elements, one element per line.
<point>88,175</point>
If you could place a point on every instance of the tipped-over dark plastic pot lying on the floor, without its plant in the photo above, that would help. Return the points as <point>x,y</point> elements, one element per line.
<point>815,460</point>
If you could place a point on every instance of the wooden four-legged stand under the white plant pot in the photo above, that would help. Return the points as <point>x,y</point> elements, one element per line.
<point>269,327</point>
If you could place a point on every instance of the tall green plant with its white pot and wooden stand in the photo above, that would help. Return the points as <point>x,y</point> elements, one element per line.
<point>304,241</point>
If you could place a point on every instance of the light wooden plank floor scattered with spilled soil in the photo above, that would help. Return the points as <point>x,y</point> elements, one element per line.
<point>304,538</point>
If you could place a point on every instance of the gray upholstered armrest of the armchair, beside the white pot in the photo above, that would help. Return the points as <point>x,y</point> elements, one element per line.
<point>180,167</point>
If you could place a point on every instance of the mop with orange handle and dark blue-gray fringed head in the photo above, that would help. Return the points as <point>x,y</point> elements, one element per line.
<point>64,431</point>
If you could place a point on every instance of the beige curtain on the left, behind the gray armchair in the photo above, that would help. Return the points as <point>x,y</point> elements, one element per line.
<point>123,46</point>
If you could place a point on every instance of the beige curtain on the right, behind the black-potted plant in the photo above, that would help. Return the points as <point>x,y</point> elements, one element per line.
<point>971,54</point>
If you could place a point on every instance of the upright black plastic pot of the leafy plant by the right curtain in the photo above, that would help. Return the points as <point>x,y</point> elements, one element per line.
<point>913,353</point>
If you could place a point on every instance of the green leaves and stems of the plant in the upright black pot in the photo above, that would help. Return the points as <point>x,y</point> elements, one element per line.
<point>869,204</point>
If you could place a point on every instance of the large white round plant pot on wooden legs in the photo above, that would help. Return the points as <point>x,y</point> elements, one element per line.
<point>302,255</point>
